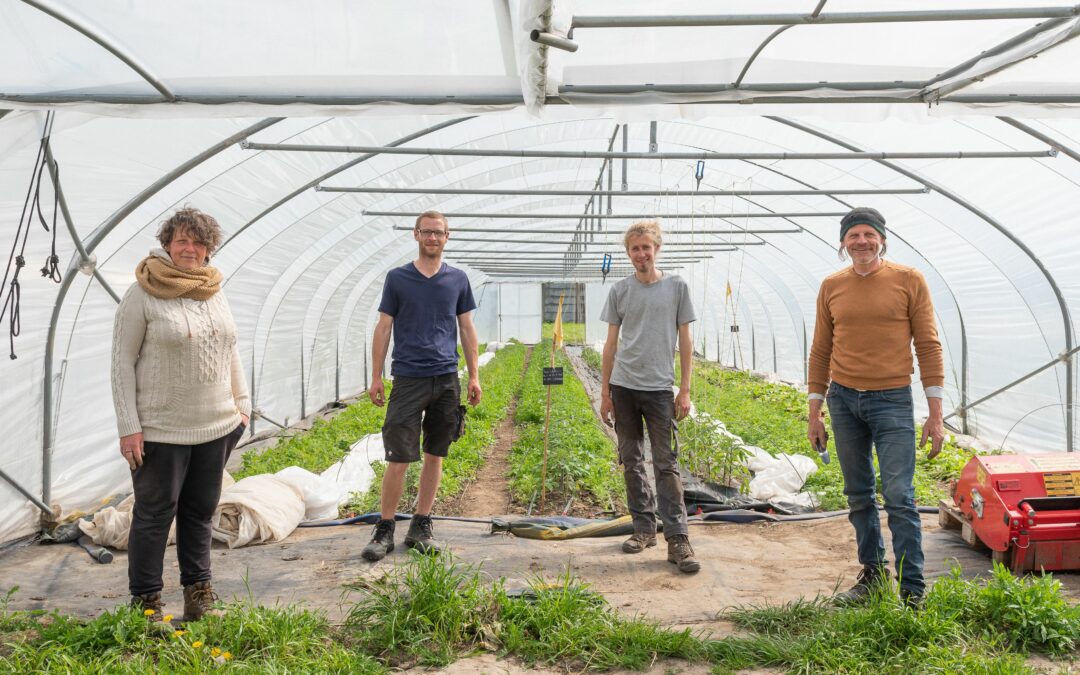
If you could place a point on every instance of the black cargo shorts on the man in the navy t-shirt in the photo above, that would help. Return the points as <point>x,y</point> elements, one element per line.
<point>416,403</point>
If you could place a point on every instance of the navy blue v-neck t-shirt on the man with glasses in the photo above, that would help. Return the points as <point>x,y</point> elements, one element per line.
<point>426,319</point>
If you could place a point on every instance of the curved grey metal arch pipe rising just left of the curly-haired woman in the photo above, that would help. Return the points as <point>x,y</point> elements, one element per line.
<point>91,244</point>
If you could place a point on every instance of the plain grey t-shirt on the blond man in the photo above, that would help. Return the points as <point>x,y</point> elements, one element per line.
<point>650,317</point>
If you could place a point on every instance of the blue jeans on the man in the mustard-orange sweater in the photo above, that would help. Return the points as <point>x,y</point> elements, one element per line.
<point>885,421</point>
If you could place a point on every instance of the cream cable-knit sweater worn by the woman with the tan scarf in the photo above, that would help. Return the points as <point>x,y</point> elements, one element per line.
<point>177,371</point>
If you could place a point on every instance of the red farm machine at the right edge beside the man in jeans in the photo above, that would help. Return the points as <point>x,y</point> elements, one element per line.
<point>1024,508</point>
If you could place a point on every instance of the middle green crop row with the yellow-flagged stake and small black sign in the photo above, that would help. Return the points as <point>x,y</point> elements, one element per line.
<point>582,458</point>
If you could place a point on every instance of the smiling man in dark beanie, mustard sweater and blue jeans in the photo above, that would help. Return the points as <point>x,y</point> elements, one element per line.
<point>869,316</point>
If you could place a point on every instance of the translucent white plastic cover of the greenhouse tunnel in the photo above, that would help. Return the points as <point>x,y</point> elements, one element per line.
<point>150,103</point>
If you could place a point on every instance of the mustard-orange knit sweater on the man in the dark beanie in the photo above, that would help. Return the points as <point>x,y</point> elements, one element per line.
<point>866,328</point>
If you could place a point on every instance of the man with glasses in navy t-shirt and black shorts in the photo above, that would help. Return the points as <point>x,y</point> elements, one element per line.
<point>425,304</point>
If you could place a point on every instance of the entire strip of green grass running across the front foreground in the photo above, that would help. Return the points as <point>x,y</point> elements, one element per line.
<point>436,610</point>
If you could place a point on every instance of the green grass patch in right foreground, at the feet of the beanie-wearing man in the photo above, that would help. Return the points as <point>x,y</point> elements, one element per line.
<point>965,627</point>
